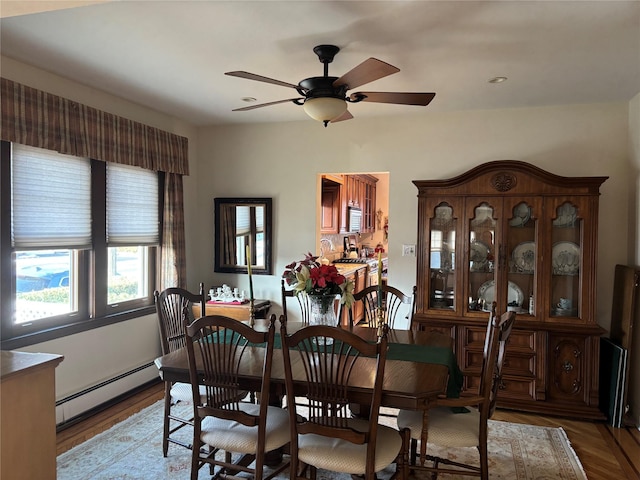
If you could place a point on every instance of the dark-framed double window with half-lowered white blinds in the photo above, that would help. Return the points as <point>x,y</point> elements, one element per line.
<point>79,245</point>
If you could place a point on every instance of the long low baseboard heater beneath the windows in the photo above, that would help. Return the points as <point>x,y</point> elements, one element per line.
<point>80,405</point>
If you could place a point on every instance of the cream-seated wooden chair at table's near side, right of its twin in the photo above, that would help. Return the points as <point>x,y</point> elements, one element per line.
<point>326,436</point>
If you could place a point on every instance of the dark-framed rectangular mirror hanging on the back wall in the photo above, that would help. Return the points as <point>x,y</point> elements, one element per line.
<point>242,223</point>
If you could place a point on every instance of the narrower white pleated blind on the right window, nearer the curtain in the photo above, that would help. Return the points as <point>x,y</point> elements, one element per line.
<point>132,206</point>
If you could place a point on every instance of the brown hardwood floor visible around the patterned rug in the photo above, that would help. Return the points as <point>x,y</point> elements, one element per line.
<point>605,453</point>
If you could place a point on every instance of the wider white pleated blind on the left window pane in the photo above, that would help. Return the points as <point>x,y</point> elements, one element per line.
<point>51,199</point>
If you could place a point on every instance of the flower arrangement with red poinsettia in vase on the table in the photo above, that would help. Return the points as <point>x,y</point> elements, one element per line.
<point>314,278</point>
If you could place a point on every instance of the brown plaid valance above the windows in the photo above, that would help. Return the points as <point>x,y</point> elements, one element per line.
<point>39,119</point>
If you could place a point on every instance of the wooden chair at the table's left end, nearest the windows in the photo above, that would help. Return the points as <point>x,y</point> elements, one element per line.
<point>170,305</point>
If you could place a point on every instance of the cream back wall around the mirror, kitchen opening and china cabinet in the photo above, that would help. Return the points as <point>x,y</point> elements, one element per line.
<point>281,161</point>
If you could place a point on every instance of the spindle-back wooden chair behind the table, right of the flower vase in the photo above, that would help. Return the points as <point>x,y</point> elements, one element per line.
<point>392,300</point>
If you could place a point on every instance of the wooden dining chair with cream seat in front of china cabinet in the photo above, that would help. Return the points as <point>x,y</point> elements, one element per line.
<point>444,425</point>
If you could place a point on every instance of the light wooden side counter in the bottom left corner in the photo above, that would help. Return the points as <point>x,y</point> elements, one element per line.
<point>28,415</point>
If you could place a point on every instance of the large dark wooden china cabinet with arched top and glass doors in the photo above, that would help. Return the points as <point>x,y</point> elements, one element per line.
<point>510,232</point>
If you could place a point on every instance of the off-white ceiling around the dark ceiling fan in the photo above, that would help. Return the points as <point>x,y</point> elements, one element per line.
<point>172,55</point>
